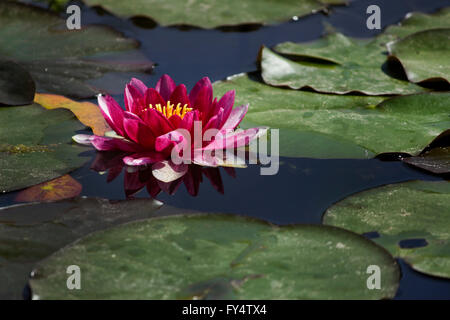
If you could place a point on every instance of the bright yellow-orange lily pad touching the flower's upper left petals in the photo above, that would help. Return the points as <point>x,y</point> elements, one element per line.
<point>88,113</point>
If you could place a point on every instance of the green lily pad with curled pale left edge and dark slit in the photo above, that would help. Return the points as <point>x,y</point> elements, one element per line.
<point>333,64</point>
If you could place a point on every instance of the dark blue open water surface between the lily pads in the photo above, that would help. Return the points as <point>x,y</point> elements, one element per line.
<point>304,188</point>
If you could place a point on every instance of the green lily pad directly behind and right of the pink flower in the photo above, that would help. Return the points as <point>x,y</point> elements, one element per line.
<point>341,126</point>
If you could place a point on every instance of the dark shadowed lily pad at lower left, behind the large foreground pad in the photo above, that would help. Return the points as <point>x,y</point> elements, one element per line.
<point>31,232</point>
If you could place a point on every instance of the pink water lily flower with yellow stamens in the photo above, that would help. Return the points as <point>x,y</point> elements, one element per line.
<point>149,127</point>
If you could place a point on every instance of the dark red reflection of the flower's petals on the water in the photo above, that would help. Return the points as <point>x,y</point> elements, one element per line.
<point>137,178</point>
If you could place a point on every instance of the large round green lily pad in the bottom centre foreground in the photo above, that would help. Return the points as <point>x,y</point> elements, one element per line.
<point>217,257</point>
